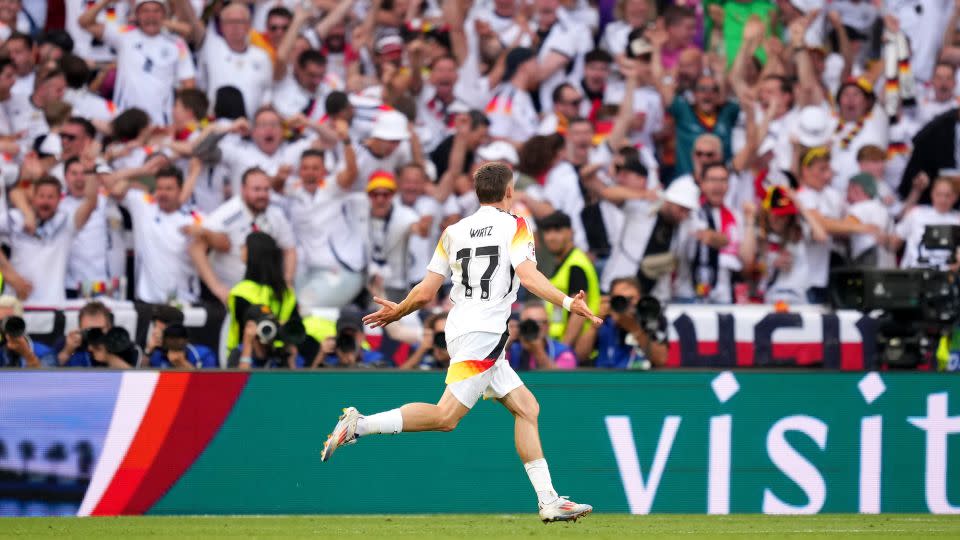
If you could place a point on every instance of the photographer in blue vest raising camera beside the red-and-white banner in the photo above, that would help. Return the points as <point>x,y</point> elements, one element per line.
<point>628,337</point>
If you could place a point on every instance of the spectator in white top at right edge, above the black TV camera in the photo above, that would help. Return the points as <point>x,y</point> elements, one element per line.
<point>909,231</point>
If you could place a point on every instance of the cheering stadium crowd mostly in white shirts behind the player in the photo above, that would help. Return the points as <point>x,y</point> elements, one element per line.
<point>269,160</point>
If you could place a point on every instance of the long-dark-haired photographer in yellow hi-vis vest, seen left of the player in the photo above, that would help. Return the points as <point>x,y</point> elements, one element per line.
<point>261,306</point>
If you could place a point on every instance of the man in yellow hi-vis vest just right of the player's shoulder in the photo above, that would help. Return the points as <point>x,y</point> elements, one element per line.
<point>575,272</point>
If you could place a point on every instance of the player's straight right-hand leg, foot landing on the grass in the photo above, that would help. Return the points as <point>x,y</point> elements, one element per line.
<point>525,409</point>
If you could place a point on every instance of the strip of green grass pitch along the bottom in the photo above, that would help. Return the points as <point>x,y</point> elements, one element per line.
<point>488,527</point>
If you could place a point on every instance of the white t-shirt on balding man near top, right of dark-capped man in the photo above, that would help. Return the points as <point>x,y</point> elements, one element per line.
<point>250,71</point>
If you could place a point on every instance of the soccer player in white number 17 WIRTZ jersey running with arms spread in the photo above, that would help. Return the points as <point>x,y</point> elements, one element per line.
<point>488,253</point>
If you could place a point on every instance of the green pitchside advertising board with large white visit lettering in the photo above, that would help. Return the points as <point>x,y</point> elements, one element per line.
<point>108,443</point>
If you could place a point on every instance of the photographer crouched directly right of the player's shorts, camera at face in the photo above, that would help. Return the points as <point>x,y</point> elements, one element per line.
<point>532,348</point>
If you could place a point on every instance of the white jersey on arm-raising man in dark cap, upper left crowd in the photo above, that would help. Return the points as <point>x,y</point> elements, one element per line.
<point>149,69</point>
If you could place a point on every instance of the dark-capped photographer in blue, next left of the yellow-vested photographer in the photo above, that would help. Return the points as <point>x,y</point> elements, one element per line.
<point>168,346</point>
